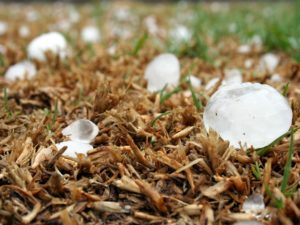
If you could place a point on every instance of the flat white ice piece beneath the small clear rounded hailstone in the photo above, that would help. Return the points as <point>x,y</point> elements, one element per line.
<point>74,147</point>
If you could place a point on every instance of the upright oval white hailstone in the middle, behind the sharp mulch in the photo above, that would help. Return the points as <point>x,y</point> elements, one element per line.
<point>161,71</point>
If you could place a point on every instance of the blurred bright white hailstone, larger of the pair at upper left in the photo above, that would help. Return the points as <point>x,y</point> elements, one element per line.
<point>53,42</point>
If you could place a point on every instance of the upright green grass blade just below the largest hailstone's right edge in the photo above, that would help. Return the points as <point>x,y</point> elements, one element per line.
<point>288,165</point>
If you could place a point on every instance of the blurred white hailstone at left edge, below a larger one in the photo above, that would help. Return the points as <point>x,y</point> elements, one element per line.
<point>21,70</point>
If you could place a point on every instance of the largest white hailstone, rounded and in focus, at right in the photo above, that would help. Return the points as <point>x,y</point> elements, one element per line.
<point>251,113</point>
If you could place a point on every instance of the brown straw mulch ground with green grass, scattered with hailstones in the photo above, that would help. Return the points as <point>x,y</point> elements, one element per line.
<point>153,162</point>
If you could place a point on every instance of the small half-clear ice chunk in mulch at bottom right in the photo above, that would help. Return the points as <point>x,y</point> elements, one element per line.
<point>254,204</point>
